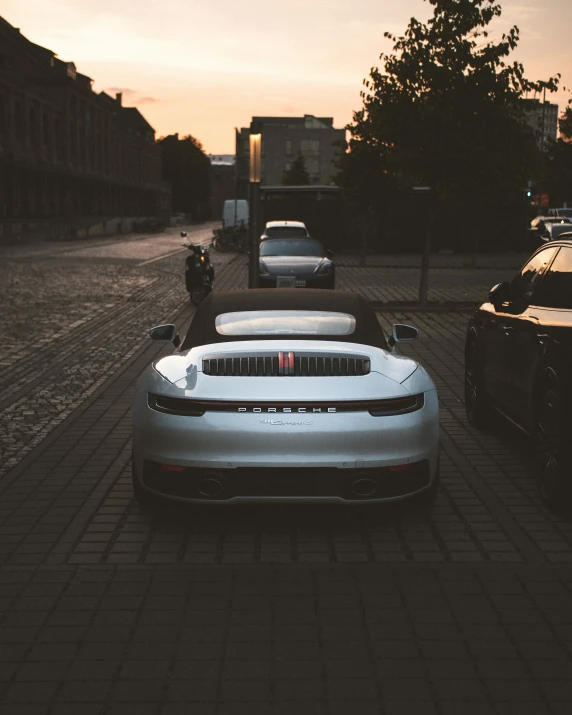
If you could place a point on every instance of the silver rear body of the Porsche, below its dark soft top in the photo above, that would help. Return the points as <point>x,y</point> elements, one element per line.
<point>258,422</point>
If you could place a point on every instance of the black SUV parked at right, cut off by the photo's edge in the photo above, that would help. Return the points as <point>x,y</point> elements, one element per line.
<point>518,360</point>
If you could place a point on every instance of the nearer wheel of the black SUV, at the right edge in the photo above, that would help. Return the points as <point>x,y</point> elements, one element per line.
<point>554,460</point>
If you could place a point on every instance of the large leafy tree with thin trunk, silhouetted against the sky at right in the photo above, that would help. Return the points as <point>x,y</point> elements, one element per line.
<point>445,112</point>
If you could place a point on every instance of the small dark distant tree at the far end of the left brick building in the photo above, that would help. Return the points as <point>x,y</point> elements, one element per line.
<point>187,168</point>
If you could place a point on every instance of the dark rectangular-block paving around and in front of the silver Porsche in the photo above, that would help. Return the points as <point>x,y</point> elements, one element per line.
<point>465,607</point>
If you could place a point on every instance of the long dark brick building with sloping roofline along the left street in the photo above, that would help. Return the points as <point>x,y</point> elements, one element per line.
<point>67,154</point>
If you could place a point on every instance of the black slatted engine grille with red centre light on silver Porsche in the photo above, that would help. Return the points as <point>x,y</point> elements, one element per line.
<point>303,366</point>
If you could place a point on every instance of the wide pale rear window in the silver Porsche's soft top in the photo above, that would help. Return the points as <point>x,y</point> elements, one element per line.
<point>285,322</point>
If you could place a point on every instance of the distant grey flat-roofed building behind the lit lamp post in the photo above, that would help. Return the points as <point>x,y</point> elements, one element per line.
<point>283,138</point>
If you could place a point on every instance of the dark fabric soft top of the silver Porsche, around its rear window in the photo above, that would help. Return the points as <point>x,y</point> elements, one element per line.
<point>203,331</point>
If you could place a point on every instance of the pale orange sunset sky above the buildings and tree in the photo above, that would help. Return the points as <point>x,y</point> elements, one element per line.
<point>203,67</point>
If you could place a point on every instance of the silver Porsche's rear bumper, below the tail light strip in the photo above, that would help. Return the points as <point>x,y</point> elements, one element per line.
<point>318,455</point>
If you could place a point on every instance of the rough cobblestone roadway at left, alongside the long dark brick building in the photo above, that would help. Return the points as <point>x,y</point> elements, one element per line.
<point>67,325</point>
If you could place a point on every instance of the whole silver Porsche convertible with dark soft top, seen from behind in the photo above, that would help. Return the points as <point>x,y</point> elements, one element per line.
<point>290,395</point>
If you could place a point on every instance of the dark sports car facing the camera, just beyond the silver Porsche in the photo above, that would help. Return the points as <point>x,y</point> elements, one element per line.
<point>295,263</point>
